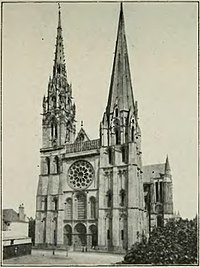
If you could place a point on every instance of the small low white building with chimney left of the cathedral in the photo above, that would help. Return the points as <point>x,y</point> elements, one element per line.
<point>16,241</point>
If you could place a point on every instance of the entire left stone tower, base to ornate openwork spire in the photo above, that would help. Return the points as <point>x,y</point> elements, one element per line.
<point>58,129</point>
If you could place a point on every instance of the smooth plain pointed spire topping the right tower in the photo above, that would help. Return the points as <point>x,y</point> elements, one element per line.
<point>120,85</point>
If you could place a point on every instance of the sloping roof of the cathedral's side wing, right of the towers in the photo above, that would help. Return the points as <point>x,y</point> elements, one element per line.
<point>152,171</point>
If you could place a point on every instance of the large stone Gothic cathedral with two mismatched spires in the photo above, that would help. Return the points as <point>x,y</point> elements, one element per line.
<point>96,194</point>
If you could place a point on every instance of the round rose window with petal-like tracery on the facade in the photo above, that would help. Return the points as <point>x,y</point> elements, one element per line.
<point>80,175</point>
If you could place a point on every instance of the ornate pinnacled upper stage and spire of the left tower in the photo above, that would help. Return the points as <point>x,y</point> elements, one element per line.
<point>58,124</point>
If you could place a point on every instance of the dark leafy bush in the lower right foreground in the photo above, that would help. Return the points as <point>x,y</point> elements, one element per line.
<point>175,243</point>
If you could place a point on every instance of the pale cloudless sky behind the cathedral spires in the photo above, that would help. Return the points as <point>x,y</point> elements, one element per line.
<point>162,45</point>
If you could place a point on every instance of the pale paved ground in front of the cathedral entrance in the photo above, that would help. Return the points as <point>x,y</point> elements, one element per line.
<point>74,258</point>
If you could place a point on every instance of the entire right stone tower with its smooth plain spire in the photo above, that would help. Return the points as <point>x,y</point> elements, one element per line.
<point>121,199</point>
